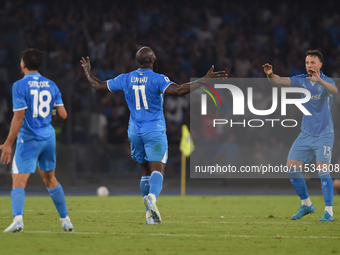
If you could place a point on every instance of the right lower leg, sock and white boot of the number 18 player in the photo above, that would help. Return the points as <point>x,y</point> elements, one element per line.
<point>57,194</point>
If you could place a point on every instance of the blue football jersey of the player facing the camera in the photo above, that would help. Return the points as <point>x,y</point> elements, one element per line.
<point>320,122</point>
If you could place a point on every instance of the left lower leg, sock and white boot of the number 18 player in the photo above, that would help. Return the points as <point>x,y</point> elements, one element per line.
<point>19,182</point>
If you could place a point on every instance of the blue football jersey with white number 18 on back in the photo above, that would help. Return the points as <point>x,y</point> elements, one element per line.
<point>38,95</point>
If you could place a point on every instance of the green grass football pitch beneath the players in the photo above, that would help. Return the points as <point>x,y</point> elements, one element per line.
<point>191,225</point>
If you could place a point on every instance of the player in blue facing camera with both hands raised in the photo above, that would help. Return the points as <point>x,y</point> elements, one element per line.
<point>317,134</point>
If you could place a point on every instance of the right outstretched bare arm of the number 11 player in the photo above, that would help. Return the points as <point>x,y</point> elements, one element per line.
<point>180,90</point>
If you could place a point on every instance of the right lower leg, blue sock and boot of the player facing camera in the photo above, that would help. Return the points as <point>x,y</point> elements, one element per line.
<point>327,189</point>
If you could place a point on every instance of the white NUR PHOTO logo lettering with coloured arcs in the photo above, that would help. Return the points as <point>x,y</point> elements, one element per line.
<point>239,103</point>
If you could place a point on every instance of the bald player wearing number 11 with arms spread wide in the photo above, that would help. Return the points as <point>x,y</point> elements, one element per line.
<point>144,91</point>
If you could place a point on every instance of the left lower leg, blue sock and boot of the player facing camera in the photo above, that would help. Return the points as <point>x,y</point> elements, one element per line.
<point>300,187</point>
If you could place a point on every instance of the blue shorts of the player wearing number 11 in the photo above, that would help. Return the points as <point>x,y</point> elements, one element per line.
<point>149,147</point>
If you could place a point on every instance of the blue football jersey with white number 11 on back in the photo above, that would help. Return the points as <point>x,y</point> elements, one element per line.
<point>144,93</point>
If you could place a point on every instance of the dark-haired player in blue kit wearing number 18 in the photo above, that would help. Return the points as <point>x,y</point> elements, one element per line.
<point>34,97</point>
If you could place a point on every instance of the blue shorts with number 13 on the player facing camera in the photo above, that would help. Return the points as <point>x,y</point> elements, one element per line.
<point>306,147</point>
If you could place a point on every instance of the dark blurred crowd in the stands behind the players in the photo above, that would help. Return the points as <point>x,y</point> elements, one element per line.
<point>187,37</point>
